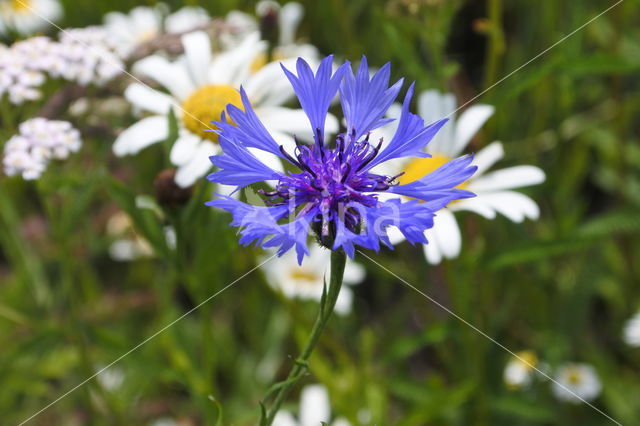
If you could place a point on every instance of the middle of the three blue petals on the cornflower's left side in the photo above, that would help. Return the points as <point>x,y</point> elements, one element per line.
<point>238,166</point>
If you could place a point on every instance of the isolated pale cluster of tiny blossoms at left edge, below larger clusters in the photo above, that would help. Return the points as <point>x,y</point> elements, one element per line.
<point>39,140</point>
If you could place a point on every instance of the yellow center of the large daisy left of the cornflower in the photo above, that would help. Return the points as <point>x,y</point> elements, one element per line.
<point>206,104</point>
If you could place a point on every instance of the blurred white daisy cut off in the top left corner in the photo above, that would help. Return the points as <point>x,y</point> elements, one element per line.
<point>27,17</point>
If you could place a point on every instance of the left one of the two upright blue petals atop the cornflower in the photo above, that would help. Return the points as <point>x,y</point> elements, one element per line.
<point>315,92</point>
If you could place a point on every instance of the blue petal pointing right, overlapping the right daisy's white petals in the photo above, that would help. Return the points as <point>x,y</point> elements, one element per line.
<point>438,187</point>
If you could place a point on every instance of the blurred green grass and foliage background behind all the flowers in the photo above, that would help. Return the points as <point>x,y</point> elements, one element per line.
<point>561,286</point>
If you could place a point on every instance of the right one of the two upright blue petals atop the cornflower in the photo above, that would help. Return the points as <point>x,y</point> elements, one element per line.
<point>365,102</point>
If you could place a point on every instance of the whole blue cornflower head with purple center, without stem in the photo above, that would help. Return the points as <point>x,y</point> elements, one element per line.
<point>335,193</point>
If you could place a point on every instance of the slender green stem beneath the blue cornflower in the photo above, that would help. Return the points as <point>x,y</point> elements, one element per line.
<point>328,302</point>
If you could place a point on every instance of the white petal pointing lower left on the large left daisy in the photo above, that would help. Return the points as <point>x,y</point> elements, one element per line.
<point>142,134</point>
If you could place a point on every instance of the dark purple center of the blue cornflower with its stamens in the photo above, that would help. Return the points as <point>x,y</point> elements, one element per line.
<point>335,180</point>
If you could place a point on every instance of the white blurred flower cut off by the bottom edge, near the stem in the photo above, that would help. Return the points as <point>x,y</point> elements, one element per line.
<point>315,408</point>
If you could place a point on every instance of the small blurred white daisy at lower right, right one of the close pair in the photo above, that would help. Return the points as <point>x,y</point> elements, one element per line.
<point>574,382</point>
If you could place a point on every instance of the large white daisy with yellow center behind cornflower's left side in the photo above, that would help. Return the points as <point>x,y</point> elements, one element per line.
<point>201,84</point>
